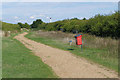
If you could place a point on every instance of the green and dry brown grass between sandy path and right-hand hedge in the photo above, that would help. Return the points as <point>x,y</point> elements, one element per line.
<point>100,50</point>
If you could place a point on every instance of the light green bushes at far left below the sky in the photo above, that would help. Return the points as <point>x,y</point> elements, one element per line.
<point>10,27</point>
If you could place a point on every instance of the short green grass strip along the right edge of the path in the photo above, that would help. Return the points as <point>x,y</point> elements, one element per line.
<point>93,54</point>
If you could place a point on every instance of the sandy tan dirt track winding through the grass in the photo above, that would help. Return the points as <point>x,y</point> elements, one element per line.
<point>65,64</point>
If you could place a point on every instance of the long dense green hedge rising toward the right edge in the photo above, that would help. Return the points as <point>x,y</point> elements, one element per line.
<point>99,25</point>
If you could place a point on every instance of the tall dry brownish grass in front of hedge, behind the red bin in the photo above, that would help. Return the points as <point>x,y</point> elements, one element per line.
<point>89,41</point>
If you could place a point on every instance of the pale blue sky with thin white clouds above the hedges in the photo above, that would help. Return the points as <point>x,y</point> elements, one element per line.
<point>14,12</point>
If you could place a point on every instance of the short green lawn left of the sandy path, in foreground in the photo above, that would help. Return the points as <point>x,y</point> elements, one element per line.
<point>20,62</point>
